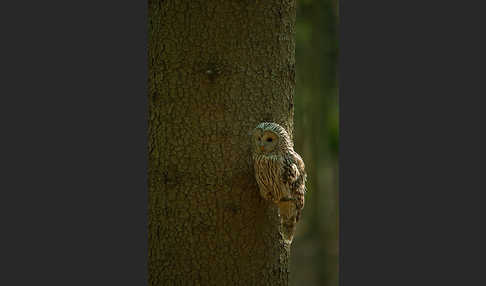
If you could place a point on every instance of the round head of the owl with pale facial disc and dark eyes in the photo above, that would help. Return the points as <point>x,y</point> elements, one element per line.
<point>269,138</point>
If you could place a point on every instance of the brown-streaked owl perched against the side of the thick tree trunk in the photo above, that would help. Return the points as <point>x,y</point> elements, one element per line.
<point>280,173</point>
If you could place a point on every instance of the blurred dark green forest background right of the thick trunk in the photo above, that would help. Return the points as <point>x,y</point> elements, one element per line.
<point>315,250</point>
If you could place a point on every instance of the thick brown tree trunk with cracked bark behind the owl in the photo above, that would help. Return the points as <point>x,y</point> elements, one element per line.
<point>216,69</point>
